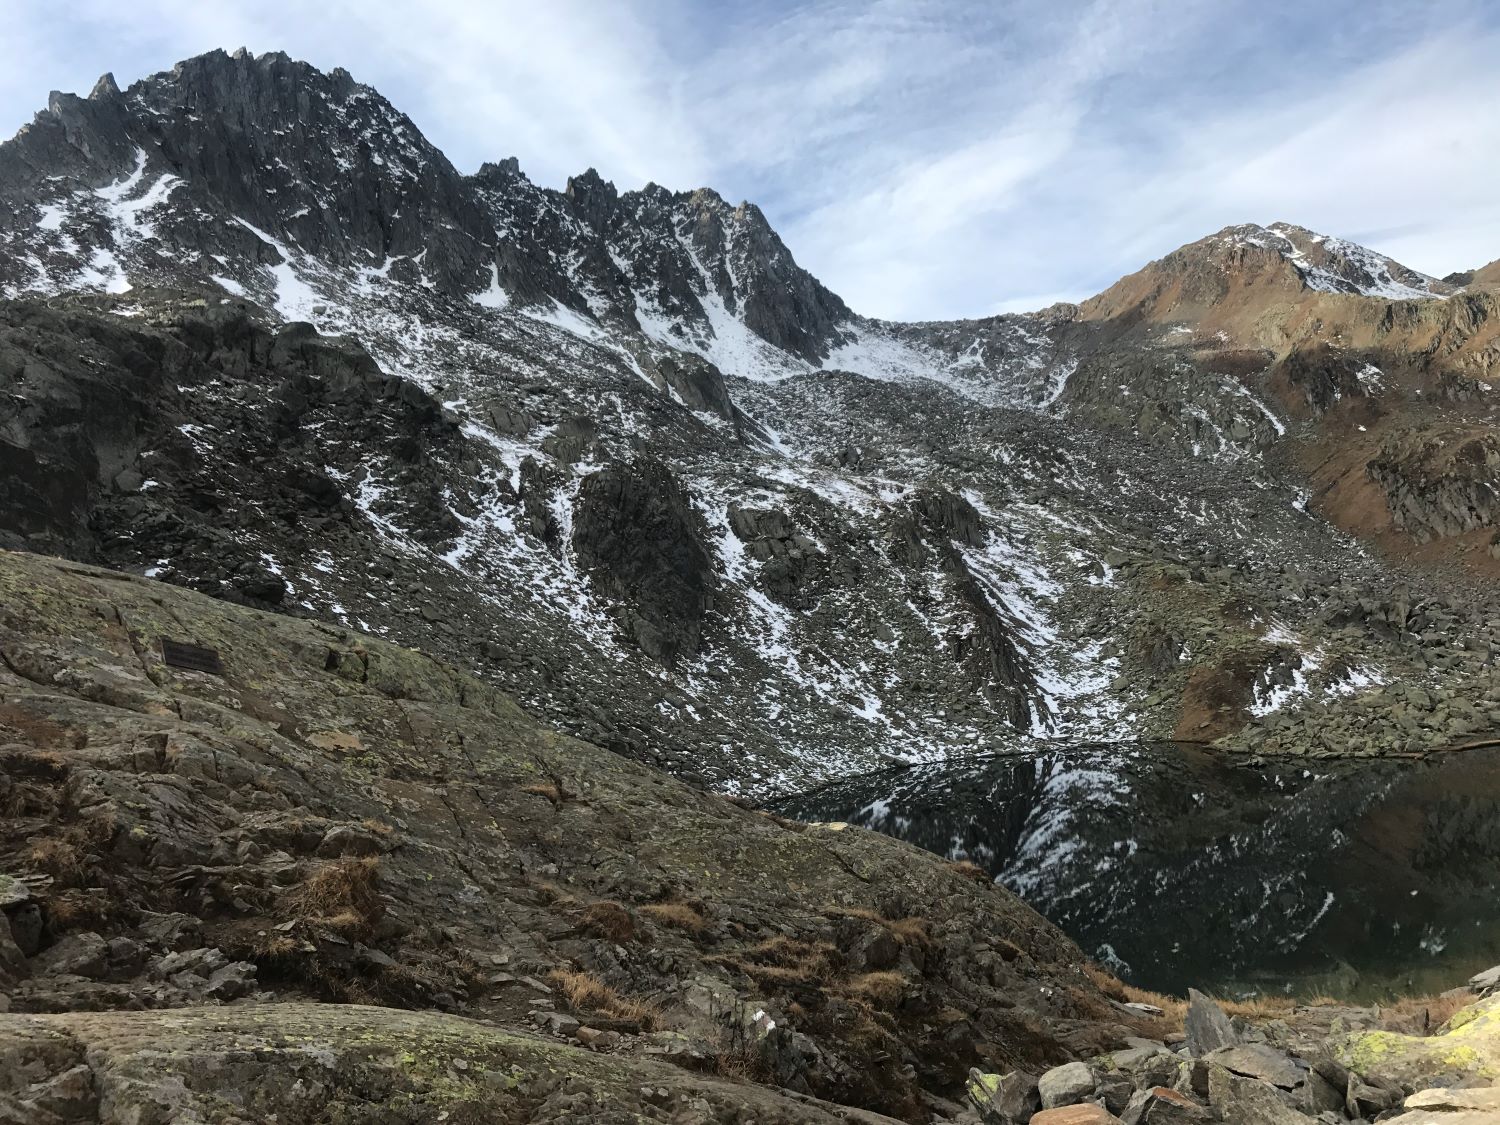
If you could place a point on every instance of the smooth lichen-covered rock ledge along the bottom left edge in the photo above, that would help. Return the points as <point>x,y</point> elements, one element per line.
<point>350,1064</point>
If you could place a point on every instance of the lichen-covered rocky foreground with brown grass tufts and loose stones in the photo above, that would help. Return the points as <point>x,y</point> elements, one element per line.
<point>341,881</point>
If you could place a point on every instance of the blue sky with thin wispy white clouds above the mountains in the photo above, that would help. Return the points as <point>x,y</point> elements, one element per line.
<point>923,158</point>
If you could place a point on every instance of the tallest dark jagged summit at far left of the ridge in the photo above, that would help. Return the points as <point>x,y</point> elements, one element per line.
<point>239,157</point>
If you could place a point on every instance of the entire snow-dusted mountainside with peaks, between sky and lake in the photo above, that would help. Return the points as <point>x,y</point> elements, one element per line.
<point>620,455</point>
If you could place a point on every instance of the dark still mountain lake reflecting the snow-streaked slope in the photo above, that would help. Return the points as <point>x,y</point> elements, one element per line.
<point>1180,868</point>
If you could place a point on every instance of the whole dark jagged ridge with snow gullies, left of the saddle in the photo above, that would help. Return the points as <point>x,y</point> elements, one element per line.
<point>293,187</point>
